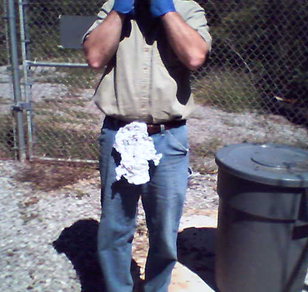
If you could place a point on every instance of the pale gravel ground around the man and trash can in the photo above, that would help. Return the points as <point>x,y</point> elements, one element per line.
<point>49,221</point>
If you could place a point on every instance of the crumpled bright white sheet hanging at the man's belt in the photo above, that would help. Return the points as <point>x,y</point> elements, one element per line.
<point>136,148</point>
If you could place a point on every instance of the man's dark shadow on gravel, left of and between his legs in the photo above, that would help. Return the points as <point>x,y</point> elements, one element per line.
<point>78,243</point>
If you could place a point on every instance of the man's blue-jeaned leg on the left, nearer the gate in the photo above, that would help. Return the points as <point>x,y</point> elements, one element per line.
<point>117,225</point>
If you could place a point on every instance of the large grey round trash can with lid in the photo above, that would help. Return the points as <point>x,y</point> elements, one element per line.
<point>262,237</point>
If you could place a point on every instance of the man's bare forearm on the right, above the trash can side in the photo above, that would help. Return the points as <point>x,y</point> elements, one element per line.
<point>187,44</point>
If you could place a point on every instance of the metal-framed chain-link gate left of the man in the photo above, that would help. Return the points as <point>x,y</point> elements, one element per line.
<point>55,115</point>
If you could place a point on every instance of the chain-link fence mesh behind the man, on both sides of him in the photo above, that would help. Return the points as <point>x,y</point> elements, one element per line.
<point>259,63</point>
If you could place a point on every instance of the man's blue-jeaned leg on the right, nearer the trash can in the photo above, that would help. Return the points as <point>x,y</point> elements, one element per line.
<point>163,203</point>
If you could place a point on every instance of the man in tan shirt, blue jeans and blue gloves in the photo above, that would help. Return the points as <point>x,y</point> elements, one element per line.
<point>147,49</point>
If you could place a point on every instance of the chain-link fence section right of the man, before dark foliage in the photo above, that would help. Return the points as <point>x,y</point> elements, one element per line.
<point>260,57</point>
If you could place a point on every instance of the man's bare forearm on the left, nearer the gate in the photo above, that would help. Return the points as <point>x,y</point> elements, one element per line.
<point>102,43</point>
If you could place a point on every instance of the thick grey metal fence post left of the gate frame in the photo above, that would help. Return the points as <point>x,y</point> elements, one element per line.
<point>18,108</point>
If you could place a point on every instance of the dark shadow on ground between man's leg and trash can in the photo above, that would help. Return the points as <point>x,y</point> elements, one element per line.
<point>196,251</point>
